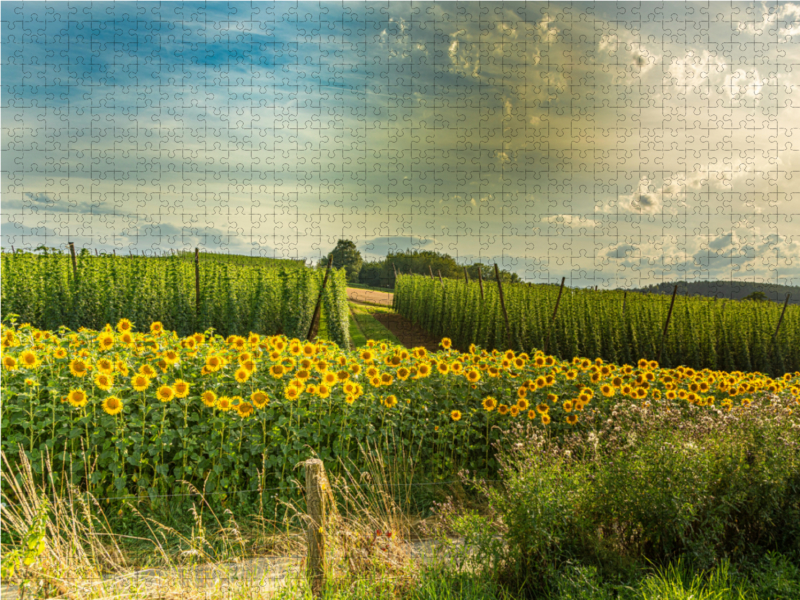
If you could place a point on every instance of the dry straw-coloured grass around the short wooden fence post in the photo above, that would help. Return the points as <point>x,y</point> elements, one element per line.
<point>82,557</point>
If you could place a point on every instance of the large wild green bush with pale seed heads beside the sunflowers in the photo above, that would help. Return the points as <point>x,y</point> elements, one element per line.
<point>649,486</point>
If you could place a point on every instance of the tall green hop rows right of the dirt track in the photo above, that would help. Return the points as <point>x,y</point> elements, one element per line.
<point>617,327</point>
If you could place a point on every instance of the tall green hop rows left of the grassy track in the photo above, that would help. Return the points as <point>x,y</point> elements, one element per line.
<point>234,298</point>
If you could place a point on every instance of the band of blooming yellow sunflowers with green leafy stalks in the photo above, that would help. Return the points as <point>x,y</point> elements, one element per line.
<point>137,413</point>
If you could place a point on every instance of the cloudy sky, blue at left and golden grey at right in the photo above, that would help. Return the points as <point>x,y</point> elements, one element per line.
<point>613,144</point>
